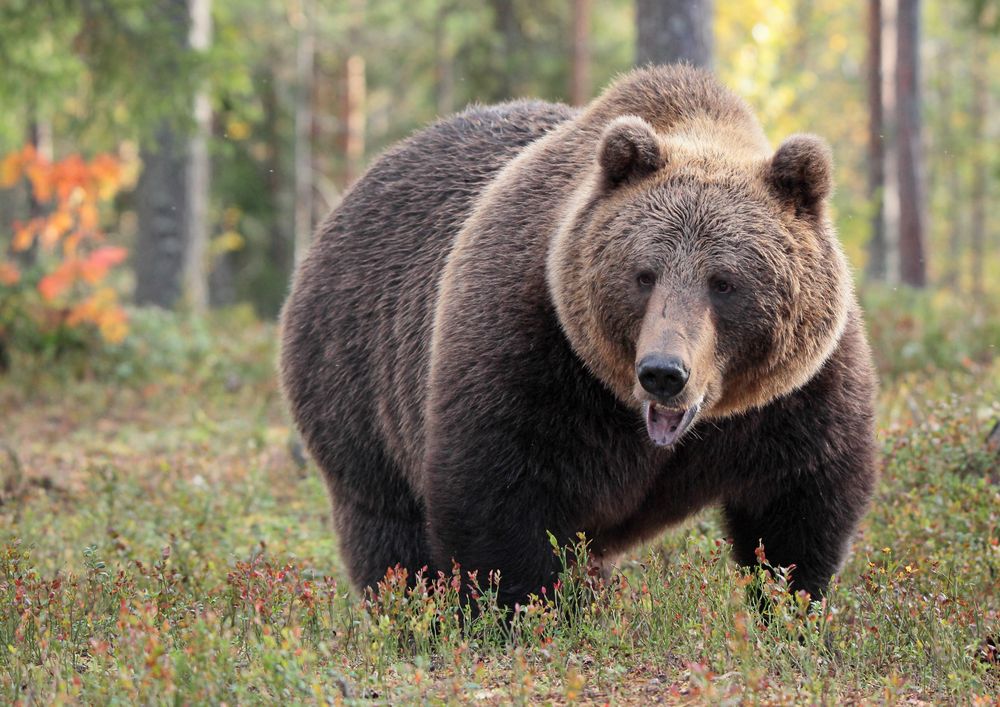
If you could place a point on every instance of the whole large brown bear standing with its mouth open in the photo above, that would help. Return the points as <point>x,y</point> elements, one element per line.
<point>528,319</point>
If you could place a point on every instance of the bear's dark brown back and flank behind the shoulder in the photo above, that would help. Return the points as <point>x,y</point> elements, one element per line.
<point>357,326</point>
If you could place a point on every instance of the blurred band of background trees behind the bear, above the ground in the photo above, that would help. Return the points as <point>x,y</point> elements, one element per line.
<point>246,120</point>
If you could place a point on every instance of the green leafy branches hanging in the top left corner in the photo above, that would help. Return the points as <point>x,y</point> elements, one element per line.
<point>95,69</point>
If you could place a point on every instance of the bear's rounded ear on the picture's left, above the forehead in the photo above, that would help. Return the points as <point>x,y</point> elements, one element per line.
<point>629,150</point>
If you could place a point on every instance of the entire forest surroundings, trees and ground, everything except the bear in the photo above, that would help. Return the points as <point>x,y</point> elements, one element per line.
<point>164,537</point>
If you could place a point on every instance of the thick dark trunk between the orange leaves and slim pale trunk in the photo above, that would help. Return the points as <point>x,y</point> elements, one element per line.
<point>162,199</point>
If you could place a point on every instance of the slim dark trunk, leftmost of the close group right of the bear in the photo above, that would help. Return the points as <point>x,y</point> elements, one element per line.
<point>877,250</point>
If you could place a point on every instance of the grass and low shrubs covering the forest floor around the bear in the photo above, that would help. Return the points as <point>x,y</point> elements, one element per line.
<point>159,544</point>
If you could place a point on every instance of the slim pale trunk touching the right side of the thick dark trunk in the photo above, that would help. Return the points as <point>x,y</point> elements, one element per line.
<point>199,171</point>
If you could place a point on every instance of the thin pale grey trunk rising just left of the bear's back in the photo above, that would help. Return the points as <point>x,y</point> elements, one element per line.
<point>305,61</point>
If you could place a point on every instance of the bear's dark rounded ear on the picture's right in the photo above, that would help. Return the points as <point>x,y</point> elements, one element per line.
<point>801,173</point>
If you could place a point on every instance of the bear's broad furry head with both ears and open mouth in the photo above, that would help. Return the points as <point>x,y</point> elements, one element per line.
<point>698,277</point>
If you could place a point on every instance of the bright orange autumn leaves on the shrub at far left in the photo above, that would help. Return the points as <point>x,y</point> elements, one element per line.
<point>72,251</point>
